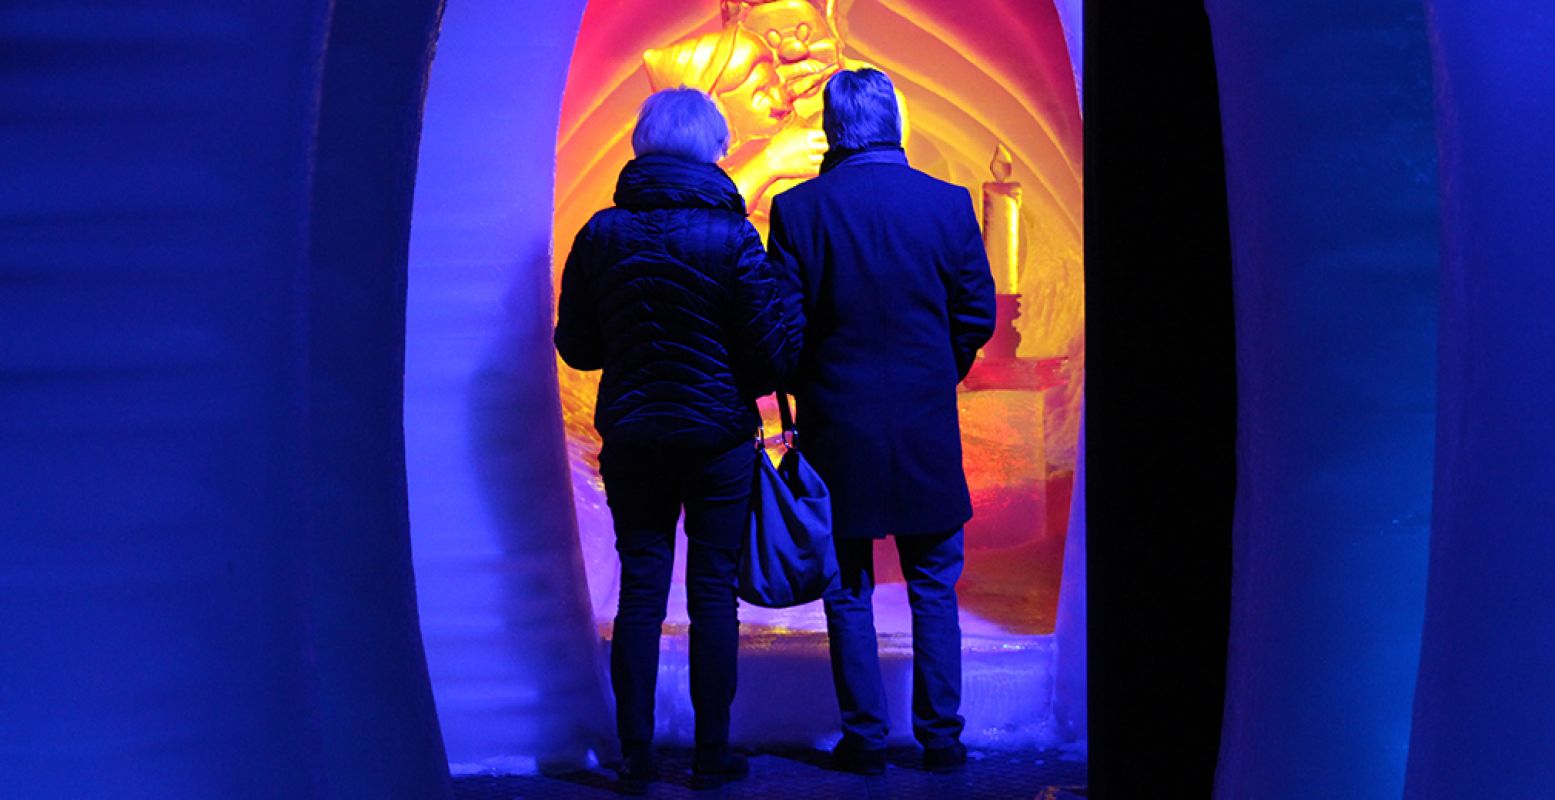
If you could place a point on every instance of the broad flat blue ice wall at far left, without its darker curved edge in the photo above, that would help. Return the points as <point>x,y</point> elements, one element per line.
<point>153,399</point>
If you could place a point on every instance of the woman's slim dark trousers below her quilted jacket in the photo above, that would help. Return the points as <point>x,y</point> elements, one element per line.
<point>646,489</point>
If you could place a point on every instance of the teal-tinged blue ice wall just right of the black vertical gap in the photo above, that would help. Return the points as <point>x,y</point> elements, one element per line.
<point>1330,158</point>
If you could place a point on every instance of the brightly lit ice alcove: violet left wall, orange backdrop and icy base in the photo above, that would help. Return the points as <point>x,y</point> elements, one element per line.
<point>528,121</point>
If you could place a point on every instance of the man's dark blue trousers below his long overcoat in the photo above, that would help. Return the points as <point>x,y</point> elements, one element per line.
<point>932,564</point>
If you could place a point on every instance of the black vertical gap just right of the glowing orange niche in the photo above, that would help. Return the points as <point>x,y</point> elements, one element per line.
<point>1161,405</point>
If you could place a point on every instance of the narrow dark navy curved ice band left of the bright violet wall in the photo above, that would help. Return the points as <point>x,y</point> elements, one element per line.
<point>376,701</point>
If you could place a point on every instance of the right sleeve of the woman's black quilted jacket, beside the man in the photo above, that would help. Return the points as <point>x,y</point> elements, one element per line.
<point>763,343</point>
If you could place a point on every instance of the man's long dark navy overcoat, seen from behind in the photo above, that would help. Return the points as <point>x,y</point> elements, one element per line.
<point>884,270</point>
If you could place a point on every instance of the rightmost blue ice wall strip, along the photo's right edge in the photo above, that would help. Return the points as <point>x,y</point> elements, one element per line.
<point>1486,700</point>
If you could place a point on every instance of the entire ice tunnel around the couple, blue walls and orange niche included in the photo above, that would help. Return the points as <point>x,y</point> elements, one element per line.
<point>278,293</point>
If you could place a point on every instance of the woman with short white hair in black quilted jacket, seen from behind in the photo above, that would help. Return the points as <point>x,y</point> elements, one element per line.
<point>669,293</point>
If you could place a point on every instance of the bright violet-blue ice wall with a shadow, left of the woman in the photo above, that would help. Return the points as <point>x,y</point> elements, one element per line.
<point>505,602</point>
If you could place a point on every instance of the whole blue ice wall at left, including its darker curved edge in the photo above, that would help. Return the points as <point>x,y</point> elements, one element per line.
<point>204,586</point>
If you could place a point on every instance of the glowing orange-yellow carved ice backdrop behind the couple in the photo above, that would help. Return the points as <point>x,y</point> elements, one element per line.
<point>974,75</point>
